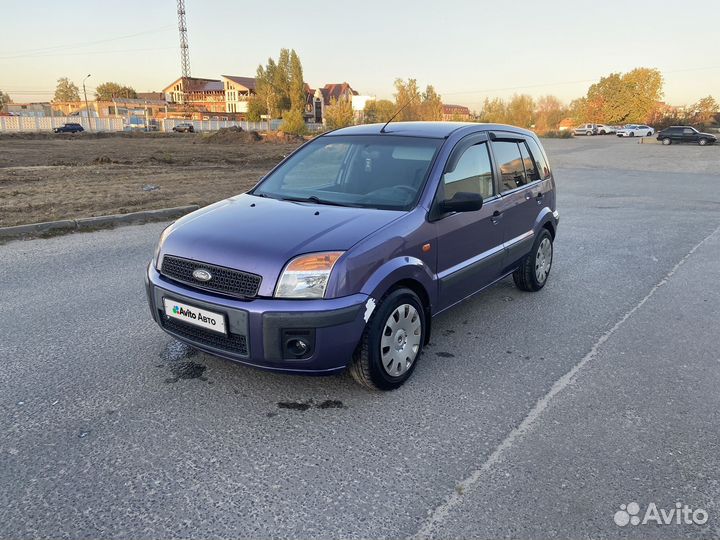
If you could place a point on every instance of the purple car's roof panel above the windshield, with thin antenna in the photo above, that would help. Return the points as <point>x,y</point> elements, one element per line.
<point>436,130</point>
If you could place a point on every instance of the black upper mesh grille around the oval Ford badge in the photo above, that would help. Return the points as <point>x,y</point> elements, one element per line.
<point>224,280</point>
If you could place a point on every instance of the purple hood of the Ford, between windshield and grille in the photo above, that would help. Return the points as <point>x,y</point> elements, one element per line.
<point>260,235</point>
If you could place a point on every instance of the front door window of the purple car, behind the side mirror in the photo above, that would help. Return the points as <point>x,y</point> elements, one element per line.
<point>472,174</point>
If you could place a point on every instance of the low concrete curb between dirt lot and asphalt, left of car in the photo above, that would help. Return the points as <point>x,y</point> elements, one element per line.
<point>99,222</point>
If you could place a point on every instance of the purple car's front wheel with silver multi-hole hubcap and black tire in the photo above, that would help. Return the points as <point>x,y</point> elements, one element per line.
<point>380,343</point>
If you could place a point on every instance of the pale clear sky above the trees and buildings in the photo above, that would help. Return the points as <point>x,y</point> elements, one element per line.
<point>468,50</point>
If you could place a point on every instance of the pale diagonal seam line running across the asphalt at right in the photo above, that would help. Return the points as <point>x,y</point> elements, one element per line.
<point>430,526</point>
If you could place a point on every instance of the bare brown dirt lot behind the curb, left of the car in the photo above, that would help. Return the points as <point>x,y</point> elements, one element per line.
<point>44,177</point>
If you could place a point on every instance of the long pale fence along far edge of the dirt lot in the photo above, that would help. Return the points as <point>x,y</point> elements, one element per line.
<point>47,123</point>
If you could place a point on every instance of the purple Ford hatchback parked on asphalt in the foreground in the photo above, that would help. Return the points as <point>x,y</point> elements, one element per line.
<point>342,254</point>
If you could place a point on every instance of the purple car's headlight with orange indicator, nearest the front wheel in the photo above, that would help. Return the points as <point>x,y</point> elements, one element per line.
<point>306,276</point>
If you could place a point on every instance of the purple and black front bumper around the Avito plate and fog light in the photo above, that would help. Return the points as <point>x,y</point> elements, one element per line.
<point>258,329</point>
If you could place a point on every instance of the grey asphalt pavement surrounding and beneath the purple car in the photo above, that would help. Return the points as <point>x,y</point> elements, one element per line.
<point>530,415</point>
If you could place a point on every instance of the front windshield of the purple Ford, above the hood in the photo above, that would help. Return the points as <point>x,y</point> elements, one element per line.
<point>370,171</point>
